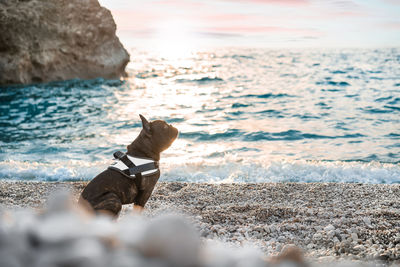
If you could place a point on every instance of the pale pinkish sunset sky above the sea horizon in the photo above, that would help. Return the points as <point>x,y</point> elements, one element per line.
<point>257,23</point>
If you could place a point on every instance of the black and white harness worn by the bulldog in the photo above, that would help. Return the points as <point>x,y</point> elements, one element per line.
<point>133,167</point>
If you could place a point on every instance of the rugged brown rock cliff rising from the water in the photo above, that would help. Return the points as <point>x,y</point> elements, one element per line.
<point>50,40</point>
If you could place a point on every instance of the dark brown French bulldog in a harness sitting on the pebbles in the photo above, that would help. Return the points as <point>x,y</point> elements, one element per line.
<point>114,187</point>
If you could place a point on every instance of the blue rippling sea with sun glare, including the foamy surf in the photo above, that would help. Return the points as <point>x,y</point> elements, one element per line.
<point>244,115</point>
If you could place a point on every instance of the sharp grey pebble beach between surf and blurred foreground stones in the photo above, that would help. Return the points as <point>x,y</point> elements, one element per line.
<point>328,221</point>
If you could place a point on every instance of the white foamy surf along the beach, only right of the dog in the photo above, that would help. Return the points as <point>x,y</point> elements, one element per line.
<point>287,171</point>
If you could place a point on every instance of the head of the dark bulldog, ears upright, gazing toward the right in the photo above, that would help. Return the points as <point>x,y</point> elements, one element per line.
<point>156,136</point>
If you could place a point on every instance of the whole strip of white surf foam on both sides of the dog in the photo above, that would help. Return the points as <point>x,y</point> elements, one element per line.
<point>218,172</point>
